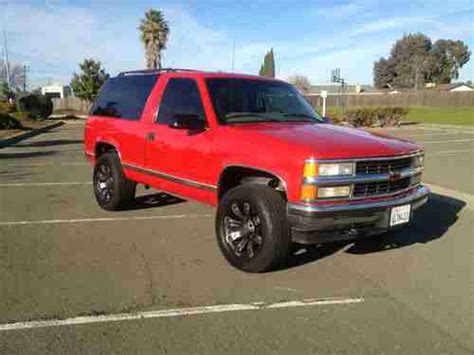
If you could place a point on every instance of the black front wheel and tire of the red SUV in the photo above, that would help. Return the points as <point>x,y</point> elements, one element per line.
<point>252,229</point>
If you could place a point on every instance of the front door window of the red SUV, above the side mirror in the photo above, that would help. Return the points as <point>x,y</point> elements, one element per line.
<point>181,97</point>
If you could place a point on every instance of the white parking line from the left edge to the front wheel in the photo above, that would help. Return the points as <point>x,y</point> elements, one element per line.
<point>102,219</point>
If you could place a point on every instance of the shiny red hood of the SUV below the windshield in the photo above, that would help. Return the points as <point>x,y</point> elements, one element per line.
<point>327,141</point>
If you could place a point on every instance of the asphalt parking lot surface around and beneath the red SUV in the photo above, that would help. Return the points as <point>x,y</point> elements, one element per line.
<point>62,257</point>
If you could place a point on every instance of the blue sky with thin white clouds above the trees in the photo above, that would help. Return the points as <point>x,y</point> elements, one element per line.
<point>308,37</point>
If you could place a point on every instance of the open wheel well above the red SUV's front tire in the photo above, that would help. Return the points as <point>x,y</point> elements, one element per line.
<point>236,175</point>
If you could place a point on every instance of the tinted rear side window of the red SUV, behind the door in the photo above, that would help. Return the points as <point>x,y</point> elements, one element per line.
<point>124,96</point>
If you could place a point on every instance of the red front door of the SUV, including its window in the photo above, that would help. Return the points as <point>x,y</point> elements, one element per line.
<point>179,155</point>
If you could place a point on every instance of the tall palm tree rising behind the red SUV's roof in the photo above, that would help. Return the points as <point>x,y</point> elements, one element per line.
<point>154,34</point>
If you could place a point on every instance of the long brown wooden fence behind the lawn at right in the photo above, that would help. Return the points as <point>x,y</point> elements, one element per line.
<point>406,99</point>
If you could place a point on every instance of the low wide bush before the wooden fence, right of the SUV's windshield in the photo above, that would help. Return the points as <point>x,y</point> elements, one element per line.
<point>375,116</point>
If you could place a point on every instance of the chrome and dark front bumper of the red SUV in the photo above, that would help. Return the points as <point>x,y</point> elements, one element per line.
<point>312,224</point>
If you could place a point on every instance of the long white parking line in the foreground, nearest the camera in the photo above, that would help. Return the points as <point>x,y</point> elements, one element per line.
<point>178,312</point>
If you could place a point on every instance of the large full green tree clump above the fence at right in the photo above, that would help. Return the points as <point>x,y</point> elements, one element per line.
<point>414,60</point>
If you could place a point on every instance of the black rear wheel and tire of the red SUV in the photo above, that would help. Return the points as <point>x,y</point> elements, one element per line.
<point>112,189</point>
